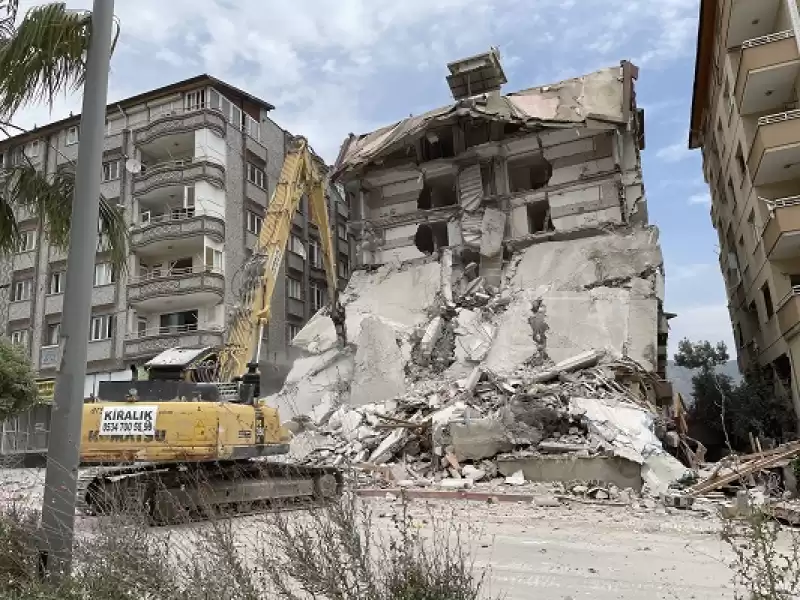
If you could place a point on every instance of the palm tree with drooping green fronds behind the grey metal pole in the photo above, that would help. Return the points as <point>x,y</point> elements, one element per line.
<point>42,55</point>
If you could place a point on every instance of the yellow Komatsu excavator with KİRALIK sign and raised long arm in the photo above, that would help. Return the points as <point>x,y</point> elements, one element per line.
<point>193,437</point>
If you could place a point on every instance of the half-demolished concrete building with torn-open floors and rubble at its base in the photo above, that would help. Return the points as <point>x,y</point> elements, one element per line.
<point>502,243</point>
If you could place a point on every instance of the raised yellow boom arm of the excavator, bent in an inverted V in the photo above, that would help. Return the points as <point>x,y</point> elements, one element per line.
<point>299,176</point>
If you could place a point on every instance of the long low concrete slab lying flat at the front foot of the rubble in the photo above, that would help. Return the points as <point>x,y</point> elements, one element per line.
<point>619,471</point>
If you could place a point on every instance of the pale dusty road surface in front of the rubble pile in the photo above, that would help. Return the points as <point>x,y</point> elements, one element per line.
<point>599,553</point>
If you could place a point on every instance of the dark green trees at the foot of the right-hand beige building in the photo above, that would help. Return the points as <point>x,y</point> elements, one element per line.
<point>734,412</point>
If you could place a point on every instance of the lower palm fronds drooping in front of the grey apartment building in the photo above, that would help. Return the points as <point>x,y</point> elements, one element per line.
<point>50,199</point>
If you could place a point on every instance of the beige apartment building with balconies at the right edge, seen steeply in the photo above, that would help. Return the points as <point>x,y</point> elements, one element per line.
<point>745,120</point>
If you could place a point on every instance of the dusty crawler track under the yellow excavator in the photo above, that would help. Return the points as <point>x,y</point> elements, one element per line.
<point>167,494</point>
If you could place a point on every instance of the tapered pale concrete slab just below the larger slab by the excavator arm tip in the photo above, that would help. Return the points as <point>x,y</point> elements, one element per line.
<point>378,373</point>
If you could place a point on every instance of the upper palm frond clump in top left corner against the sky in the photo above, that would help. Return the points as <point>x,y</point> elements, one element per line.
<point>42,56</point>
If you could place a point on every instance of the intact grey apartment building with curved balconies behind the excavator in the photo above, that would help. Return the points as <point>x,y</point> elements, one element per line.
<point>194,165</point>
